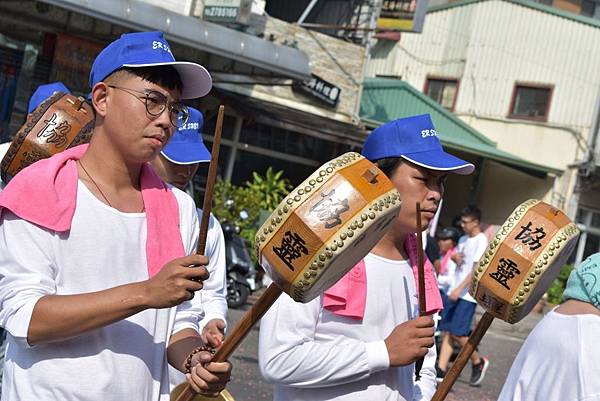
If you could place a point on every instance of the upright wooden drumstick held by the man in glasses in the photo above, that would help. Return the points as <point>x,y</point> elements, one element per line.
<point>210,182</point>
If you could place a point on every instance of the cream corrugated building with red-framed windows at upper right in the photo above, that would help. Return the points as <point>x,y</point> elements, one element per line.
<point>523,74</point>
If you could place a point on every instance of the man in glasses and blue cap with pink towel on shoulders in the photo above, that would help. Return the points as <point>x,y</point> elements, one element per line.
<point>95,284</point>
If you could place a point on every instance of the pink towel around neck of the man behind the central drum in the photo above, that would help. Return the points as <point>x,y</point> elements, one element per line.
<point>349,295</point>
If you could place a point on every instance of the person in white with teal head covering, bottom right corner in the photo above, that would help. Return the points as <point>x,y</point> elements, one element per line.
<point>559,359</point>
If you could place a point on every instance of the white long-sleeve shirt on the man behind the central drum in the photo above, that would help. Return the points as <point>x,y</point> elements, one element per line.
<point>312,354</point>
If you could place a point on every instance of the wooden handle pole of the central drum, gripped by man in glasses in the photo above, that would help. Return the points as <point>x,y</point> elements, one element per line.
<point>241,330</point>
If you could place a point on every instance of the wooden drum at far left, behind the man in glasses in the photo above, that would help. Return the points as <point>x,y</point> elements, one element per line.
<point>58,123</point>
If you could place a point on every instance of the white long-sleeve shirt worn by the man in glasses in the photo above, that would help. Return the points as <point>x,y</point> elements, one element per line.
<point>104,248</point>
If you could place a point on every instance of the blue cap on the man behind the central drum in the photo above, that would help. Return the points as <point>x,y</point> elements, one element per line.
<point>414,139</point>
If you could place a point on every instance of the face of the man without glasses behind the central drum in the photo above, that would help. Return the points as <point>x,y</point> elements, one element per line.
<point>417,184</point>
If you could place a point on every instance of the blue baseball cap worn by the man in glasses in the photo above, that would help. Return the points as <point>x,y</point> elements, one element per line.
<point>149,49</point>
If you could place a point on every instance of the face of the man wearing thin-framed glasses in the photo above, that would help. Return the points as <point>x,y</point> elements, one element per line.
<point>138,135</point>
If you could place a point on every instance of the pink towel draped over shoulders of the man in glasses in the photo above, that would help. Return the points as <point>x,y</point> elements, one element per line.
<point>45,194</point>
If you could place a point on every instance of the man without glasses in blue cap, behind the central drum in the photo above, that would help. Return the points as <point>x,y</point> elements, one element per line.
<point>311,352</point>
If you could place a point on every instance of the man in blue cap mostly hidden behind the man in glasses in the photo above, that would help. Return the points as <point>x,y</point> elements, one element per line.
<point>177,165</point>
